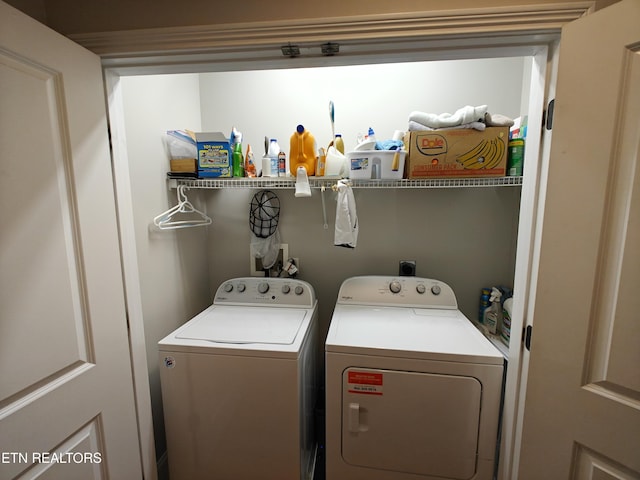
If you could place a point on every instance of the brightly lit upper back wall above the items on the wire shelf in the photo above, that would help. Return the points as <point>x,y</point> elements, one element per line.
<point>272,103</point>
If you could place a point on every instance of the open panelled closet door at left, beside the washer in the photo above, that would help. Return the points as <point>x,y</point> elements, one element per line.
<point>66,394</point>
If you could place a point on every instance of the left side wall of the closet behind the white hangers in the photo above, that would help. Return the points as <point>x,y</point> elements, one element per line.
<point>173,265</point>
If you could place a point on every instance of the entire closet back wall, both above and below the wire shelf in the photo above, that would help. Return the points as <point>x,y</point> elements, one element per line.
<point>465,237</point>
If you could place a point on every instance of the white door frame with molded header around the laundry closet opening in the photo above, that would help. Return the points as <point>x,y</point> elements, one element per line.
<point>475,33</point>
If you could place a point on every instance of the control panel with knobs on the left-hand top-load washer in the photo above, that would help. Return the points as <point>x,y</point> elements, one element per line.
<point>265,291</point>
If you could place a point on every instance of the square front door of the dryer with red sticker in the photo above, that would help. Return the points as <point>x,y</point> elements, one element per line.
<point>411,422</point>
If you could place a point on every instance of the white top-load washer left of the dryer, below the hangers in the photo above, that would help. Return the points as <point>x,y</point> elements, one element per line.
<point>239,384</point>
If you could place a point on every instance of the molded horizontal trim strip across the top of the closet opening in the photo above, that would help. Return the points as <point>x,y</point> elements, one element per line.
<point>474,22</point>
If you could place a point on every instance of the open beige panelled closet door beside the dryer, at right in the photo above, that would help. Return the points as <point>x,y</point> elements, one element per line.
<point>582,407</point>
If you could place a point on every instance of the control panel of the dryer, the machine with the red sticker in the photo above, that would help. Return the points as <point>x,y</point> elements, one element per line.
<point>397,291</point>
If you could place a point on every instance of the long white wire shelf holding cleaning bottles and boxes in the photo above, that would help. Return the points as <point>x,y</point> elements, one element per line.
<point>327,182</point>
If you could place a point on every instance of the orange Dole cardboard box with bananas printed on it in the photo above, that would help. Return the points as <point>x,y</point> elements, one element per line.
<point>456,153</point>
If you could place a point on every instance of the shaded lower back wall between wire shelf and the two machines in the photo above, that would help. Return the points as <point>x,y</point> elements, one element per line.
<point>464,237</point>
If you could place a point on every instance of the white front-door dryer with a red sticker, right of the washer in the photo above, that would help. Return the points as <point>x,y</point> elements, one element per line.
<point>413,389</point>
